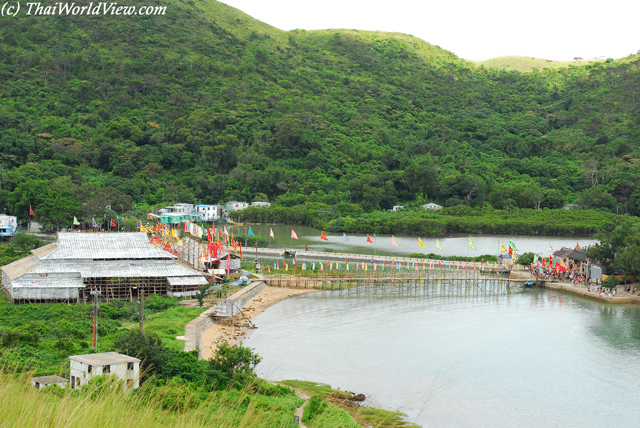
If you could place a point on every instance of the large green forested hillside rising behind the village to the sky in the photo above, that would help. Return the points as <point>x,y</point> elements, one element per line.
<point>205,103</point>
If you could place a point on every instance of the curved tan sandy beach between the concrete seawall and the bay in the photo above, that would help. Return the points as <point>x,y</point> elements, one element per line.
<point>233,334</point>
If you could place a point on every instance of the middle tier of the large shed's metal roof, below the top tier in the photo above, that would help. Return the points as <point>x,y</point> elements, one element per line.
<point>117,268</point>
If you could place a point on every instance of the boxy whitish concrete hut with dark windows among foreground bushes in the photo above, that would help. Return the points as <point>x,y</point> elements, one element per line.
<point>84,367</point>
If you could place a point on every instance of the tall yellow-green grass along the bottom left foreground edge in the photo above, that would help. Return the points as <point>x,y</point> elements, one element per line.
<point>105,406</point>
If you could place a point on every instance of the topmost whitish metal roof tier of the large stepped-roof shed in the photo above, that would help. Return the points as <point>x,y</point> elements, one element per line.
<point>101,246</point>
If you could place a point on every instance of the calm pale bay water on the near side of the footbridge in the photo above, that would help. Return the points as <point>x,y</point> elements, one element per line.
<point>528,359</point>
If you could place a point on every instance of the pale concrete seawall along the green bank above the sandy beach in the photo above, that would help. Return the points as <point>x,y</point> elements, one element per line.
<point>194,330</point>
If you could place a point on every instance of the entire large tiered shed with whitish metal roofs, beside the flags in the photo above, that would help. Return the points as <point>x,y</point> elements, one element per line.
<point>119,265</point>
